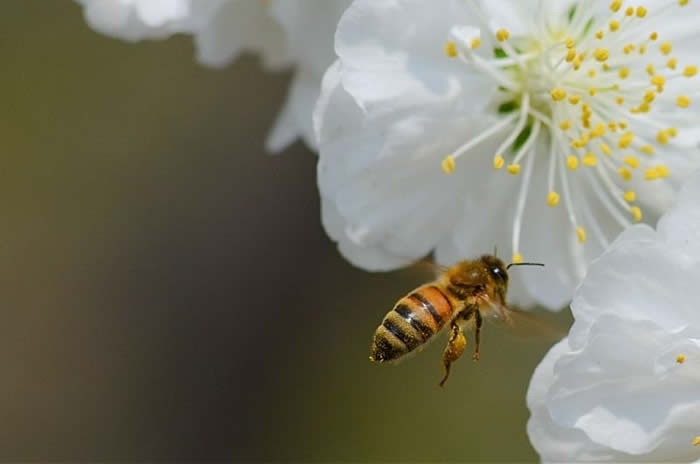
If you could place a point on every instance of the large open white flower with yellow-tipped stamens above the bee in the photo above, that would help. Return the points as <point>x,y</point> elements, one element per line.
<point>580,102</point>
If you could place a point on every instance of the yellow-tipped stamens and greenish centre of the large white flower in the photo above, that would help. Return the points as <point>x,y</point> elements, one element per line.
<point>599,85</point>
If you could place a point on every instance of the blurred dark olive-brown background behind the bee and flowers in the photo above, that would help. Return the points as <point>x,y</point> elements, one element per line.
<point>168,291</point>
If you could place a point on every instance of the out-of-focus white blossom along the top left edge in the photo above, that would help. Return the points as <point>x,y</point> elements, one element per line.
<point>282,32</point>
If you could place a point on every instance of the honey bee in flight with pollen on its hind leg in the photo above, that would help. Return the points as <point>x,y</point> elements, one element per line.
<point>463,295</point>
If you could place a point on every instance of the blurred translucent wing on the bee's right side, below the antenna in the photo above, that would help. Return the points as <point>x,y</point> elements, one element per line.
<point>532,326</point>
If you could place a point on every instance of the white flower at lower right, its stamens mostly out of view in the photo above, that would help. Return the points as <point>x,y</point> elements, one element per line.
<point>625,384</point>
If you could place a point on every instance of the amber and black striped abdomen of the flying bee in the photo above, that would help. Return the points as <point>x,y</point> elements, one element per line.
<point>414,319</point>
